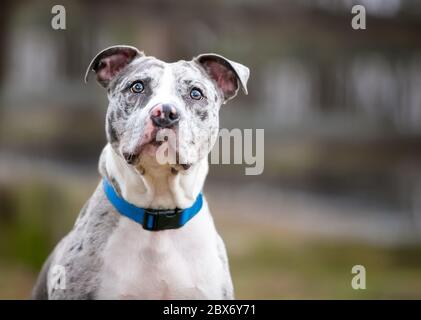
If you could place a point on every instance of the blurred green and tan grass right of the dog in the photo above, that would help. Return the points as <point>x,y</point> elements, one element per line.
<point>274,264</point>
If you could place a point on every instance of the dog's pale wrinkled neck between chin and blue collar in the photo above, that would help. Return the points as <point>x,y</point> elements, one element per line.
<point>159,188</point>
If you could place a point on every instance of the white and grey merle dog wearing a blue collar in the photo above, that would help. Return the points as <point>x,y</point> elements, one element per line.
<point>146,232</point>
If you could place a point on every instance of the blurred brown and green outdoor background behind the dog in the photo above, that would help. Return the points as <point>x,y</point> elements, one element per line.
<point>341,111</point>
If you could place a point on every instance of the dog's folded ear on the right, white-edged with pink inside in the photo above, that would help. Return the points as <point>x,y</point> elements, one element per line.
<point>228,75</point>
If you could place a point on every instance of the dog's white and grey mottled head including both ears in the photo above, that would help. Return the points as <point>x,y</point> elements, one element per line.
<point>159,109</point>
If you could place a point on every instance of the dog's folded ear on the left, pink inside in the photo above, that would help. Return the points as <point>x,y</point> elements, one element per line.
<point>111,61</point>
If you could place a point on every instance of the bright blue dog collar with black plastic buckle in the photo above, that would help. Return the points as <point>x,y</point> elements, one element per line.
<point>152,219</point>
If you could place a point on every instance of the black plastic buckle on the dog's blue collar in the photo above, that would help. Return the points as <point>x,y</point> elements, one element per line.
<point>156,219</point>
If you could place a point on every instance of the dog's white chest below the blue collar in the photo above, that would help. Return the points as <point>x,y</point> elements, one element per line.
<point>172,264</point>
